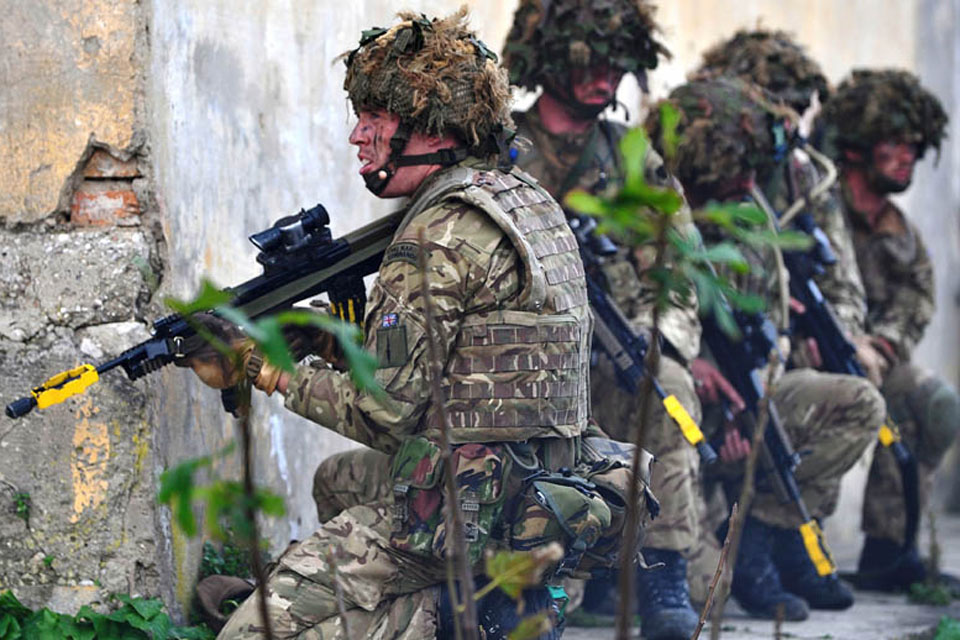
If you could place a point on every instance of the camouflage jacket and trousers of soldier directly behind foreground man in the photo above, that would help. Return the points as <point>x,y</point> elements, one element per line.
<point>551,160</point>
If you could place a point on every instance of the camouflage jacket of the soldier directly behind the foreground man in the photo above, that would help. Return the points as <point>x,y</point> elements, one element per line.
<point>553,160</point>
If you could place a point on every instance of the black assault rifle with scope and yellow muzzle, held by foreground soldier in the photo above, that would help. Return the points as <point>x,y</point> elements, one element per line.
<point>300,260</point>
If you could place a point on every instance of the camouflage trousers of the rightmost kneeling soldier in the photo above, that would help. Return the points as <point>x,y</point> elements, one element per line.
<point>925,409</point>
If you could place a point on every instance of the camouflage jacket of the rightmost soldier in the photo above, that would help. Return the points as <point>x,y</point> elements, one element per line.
<point>897,275</point>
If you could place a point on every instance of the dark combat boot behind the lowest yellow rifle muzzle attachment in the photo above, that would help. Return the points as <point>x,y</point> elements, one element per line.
<point>800,577</point>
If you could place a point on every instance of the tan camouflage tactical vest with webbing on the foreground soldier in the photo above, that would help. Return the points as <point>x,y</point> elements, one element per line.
<point>518,373</point>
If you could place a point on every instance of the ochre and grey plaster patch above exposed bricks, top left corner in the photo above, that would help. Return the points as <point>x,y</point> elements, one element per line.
<point>69,73</point>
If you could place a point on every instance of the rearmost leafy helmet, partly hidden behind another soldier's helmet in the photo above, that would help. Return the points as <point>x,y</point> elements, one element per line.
<point>768,59</point>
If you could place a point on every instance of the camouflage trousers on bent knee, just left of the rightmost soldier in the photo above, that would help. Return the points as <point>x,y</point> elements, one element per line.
<point>830,419</point>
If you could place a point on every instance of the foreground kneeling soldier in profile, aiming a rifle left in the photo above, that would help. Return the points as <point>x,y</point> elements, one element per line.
<point>432,110</point>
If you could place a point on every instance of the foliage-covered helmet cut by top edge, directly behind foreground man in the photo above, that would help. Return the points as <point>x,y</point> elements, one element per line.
<point>549,38</point>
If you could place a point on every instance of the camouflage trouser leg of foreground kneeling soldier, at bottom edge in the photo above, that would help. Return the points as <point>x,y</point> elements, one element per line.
<point>347,564</point>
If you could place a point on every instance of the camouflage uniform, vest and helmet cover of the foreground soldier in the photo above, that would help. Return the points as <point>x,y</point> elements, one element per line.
<point>513,333</point>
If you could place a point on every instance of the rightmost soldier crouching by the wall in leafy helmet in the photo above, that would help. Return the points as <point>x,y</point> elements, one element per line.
<point>877,126</point>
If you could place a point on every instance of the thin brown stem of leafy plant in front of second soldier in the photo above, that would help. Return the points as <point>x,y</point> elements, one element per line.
<point>632,524</point>
